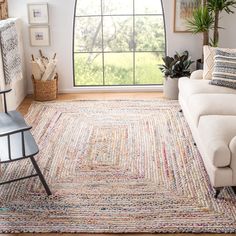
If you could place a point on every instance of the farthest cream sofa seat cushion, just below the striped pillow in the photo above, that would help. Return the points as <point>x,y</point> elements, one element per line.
<point>188,87</point>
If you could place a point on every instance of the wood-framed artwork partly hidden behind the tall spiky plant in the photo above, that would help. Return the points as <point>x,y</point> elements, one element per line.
<point>183,10</point>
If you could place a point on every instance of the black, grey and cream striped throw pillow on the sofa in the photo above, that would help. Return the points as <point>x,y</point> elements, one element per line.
<point>224,73</point>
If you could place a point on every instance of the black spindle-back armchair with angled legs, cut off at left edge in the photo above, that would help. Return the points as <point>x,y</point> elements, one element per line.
<point>17,142</point>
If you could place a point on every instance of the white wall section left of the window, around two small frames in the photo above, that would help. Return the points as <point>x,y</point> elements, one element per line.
<point>61,26</point>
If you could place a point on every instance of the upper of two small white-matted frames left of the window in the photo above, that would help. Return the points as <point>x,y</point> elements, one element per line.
<point>38,13</point>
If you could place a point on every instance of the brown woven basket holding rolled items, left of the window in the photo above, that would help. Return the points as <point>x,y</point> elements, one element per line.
<point>45,90</point>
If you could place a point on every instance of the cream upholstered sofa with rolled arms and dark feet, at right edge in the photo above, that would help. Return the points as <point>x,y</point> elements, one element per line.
<point>211,114</point>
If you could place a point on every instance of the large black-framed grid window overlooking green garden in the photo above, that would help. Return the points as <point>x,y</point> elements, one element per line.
<point>118,42</point>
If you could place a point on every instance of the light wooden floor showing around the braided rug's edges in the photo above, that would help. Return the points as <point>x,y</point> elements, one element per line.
<point>98,96</point>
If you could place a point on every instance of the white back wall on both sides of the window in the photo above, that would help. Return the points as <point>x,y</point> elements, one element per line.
<point>61,23</point>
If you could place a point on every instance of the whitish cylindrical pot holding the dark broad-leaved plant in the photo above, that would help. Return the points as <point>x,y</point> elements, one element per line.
<point>171,89</point>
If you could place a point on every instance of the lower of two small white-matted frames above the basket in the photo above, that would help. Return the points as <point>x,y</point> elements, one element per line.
<point>39,36</point>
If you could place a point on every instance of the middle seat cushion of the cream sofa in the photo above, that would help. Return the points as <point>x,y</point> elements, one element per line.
<point>211,104</point>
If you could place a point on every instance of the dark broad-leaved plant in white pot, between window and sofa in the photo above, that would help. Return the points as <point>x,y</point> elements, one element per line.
<point>174,68</point>
